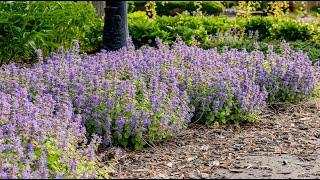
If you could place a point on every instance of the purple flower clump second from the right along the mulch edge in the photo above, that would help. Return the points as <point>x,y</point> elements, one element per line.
<point>218,90</point>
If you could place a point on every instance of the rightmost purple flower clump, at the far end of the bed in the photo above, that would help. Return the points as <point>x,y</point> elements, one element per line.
<point>287,77</point>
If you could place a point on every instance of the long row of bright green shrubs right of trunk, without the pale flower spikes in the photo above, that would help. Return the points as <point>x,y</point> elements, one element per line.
<point>201,28</point>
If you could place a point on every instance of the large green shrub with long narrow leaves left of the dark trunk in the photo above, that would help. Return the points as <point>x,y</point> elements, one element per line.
<point>46,25</point>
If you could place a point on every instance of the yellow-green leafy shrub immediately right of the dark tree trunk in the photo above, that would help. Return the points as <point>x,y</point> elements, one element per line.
<point>143,30</point>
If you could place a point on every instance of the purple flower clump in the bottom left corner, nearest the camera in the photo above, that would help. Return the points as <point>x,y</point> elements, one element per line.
<point>39,136</point>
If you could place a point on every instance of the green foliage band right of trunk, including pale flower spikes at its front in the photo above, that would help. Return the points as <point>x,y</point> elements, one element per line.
<point>218,32</point>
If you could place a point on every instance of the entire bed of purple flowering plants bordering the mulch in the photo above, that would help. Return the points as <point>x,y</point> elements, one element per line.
<point>131,97</point>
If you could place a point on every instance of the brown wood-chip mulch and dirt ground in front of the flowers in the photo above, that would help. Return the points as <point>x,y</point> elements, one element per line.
<point>285,144</point>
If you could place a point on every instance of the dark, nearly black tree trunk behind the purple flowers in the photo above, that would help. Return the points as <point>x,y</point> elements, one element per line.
<point>115,33</point>
